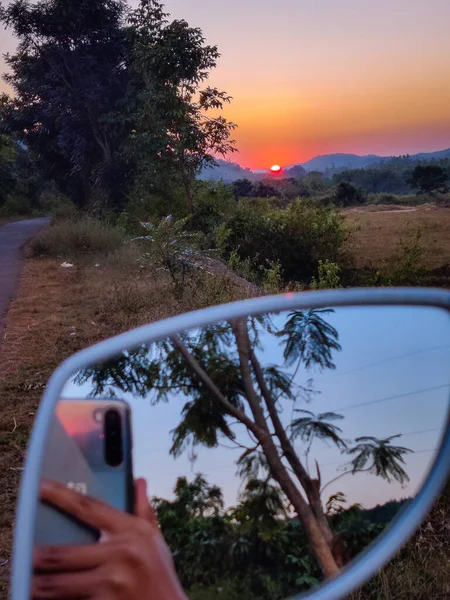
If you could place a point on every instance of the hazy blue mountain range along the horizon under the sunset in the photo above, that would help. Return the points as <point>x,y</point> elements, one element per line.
<point>230,171</point>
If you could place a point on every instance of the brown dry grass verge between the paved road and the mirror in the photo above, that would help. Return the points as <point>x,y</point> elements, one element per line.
<point>60,311</point>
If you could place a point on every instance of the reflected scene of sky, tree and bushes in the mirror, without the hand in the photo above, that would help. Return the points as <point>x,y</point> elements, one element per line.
<point>276,447</point>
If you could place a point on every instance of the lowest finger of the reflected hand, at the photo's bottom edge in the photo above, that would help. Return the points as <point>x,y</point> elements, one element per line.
<point>66,585</point>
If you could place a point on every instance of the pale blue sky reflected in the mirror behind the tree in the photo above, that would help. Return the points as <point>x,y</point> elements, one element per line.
<point>391,378</point>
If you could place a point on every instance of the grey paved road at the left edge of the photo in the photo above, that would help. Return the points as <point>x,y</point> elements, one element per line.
<point>12,237</point>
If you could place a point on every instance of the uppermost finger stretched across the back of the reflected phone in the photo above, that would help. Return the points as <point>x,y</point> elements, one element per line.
<point>89,510</point>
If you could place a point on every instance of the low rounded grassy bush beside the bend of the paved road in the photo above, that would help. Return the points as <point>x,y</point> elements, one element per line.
<point>77,239</point>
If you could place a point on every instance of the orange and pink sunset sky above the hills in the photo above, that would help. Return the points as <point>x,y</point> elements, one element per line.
<point>313,77</point>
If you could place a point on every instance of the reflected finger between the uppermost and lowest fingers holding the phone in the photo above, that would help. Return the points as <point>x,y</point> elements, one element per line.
<point>70,558</point>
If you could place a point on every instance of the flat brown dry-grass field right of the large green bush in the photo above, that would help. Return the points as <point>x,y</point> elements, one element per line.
<point>376,233</point>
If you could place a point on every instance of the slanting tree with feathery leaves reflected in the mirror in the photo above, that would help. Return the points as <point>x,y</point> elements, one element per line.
<point>223,372</point>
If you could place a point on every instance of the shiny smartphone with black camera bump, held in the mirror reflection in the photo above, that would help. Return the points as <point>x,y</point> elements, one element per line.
<point>89,449</point>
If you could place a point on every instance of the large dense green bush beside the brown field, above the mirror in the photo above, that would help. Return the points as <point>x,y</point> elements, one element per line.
<point>295,239</point>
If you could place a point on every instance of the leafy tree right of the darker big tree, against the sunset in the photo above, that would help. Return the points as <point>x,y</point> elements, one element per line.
<point>170,63</point>
